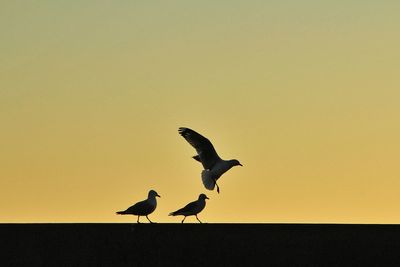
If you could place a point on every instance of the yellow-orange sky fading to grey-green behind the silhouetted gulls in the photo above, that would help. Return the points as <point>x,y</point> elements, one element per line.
<point>304,93</point>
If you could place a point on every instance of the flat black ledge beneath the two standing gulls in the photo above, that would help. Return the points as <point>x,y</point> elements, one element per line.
<point>199,244</point>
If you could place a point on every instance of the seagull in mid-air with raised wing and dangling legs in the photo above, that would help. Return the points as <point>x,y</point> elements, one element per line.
<point>213,165</point>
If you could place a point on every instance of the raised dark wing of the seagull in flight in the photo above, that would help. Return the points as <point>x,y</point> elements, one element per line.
<point>205,150</point>
